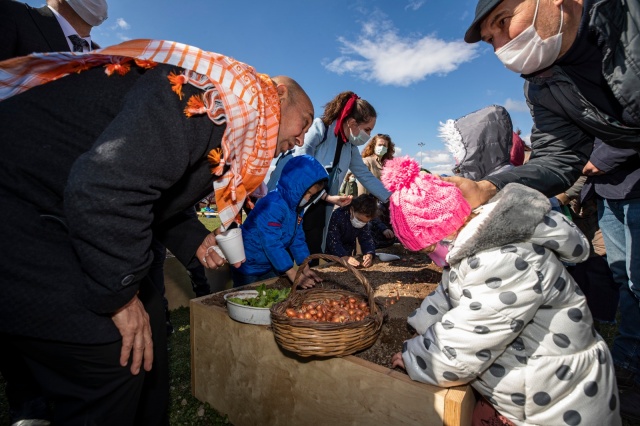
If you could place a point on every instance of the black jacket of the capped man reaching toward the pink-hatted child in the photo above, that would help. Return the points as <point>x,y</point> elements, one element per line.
<point>565,122</point>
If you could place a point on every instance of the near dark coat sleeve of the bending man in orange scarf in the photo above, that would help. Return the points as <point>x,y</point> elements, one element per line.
<point>112,188</point>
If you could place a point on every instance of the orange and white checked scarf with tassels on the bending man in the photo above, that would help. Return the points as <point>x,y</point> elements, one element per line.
<point>233,93</point>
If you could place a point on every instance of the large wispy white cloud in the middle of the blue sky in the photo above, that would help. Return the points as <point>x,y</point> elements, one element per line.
<point>380,54</point>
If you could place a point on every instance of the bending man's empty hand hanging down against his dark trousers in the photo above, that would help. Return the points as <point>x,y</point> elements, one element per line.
<point>133,324</point>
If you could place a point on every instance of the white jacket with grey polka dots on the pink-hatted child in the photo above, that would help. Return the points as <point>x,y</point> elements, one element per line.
<point>510,321</point>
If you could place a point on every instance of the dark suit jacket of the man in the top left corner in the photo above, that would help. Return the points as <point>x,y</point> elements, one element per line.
<point>25,30</point>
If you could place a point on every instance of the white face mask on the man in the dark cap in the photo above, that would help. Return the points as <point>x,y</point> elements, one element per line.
<point>527,52</point>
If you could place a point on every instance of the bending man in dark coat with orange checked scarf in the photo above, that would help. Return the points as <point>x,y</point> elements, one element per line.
<point>91,167</point>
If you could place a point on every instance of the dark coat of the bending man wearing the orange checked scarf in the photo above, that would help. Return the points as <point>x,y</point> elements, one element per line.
<point>90,167</point>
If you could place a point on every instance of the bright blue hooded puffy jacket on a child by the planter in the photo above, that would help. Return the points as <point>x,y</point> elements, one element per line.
<point>274,226</point>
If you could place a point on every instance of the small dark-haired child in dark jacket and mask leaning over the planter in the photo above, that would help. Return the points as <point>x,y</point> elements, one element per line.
<point>352,223</point>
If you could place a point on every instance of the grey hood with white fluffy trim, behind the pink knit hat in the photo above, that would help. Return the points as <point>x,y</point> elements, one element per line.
<point>480,142</point>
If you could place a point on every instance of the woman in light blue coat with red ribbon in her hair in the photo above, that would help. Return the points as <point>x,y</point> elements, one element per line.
<point>333,140</point>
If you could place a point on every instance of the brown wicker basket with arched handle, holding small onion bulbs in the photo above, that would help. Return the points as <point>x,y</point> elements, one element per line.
<point>325,339</point>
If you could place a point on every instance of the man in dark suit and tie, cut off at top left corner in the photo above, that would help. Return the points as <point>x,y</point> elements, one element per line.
<point>25,30</point>
